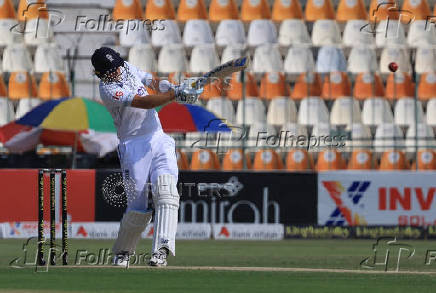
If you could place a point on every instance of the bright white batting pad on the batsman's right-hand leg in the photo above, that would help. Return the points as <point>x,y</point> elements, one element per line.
<point>166,202</point>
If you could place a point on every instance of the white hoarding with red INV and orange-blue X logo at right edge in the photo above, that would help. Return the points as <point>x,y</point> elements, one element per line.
<point>376,198</point>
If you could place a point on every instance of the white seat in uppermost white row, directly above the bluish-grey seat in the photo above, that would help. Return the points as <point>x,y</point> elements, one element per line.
<point>325,32</point>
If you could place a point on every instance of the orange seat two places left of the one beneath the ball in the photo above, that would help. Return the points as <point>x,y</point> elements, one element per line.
<point>336,85</point>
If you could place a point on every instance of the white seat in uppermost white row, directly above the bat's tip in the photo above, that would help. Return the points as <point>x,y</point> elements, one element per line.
<point>229,32</point>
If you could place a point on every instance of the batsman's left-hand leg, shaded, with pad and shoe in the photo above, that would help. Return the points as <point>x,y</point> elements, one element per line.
<point>135,157</point>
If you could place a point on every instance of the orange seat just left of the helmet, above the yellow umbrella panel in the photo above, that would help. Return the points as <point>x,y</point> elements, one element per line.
<point>53,86</point>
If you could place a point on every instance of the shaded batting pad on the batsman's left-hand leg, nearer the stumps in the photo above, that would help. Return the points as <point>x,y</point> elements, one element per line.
<point>131,227</point>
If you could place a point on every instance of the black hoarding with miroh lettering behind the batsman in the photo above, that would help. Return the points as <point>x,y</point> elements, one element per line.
<point>233,197</point>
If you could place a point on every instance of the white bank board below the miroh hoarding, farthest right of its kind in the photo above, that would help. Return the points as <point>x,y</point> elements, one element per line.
<point>248,231</point>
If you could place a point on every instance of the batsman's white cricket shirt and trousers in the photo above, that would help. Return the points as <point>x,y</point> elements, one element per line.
<point>145,151</point>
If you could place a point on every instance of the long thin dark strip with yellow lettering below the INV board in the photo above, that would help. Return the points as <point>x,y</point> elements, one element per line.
<point>354,232</point>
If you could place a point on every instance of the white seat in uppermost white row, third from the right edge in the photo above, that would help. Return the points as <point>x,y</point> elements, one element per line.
<point>356,34</point>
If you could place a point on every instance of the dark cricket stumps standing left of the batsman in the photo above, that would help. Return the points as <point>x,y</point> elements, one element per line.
<point>41,240</point>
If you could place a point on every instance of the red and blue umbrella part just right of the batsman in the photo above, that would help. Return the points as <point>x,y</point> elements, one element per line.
<point>177,117</point>
